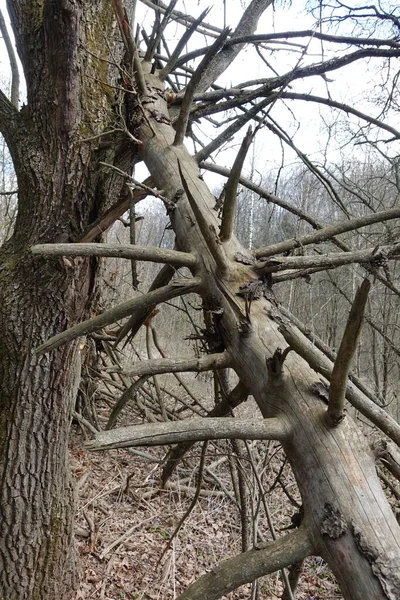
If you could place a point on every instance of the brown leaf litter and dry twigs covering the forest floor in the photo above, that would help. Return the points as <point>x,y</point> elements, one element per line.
<point>125,520</point>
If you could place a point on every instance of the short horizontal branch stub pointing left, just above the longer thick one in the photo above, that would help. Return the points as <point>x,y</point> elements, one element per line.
<point>155,366</point>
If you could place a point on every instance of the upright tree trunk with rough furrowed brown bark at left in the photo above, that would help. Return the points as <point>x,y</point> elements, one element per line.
<point>56,149</point>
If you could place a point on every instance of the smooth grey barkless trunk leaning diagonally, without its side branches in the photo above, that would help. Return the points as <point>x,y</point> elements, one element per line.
<point>350,522</point>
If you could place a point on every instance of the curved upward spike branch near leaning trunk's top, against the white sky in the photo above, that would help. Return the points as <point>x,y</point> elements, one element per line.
<point>194,83</point>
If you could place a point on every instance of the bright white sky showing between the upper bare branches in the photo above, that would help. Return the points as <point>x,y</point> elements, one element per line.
<point>347,85</point>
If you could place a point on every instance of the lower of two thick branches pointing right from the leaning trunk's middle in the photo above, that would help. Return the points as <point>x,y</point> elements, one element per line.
<point>329,260</point>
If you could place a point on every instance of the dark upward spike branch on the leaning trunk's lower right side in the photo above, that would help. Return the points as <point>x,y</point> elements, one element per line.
<point>345,354</point>
